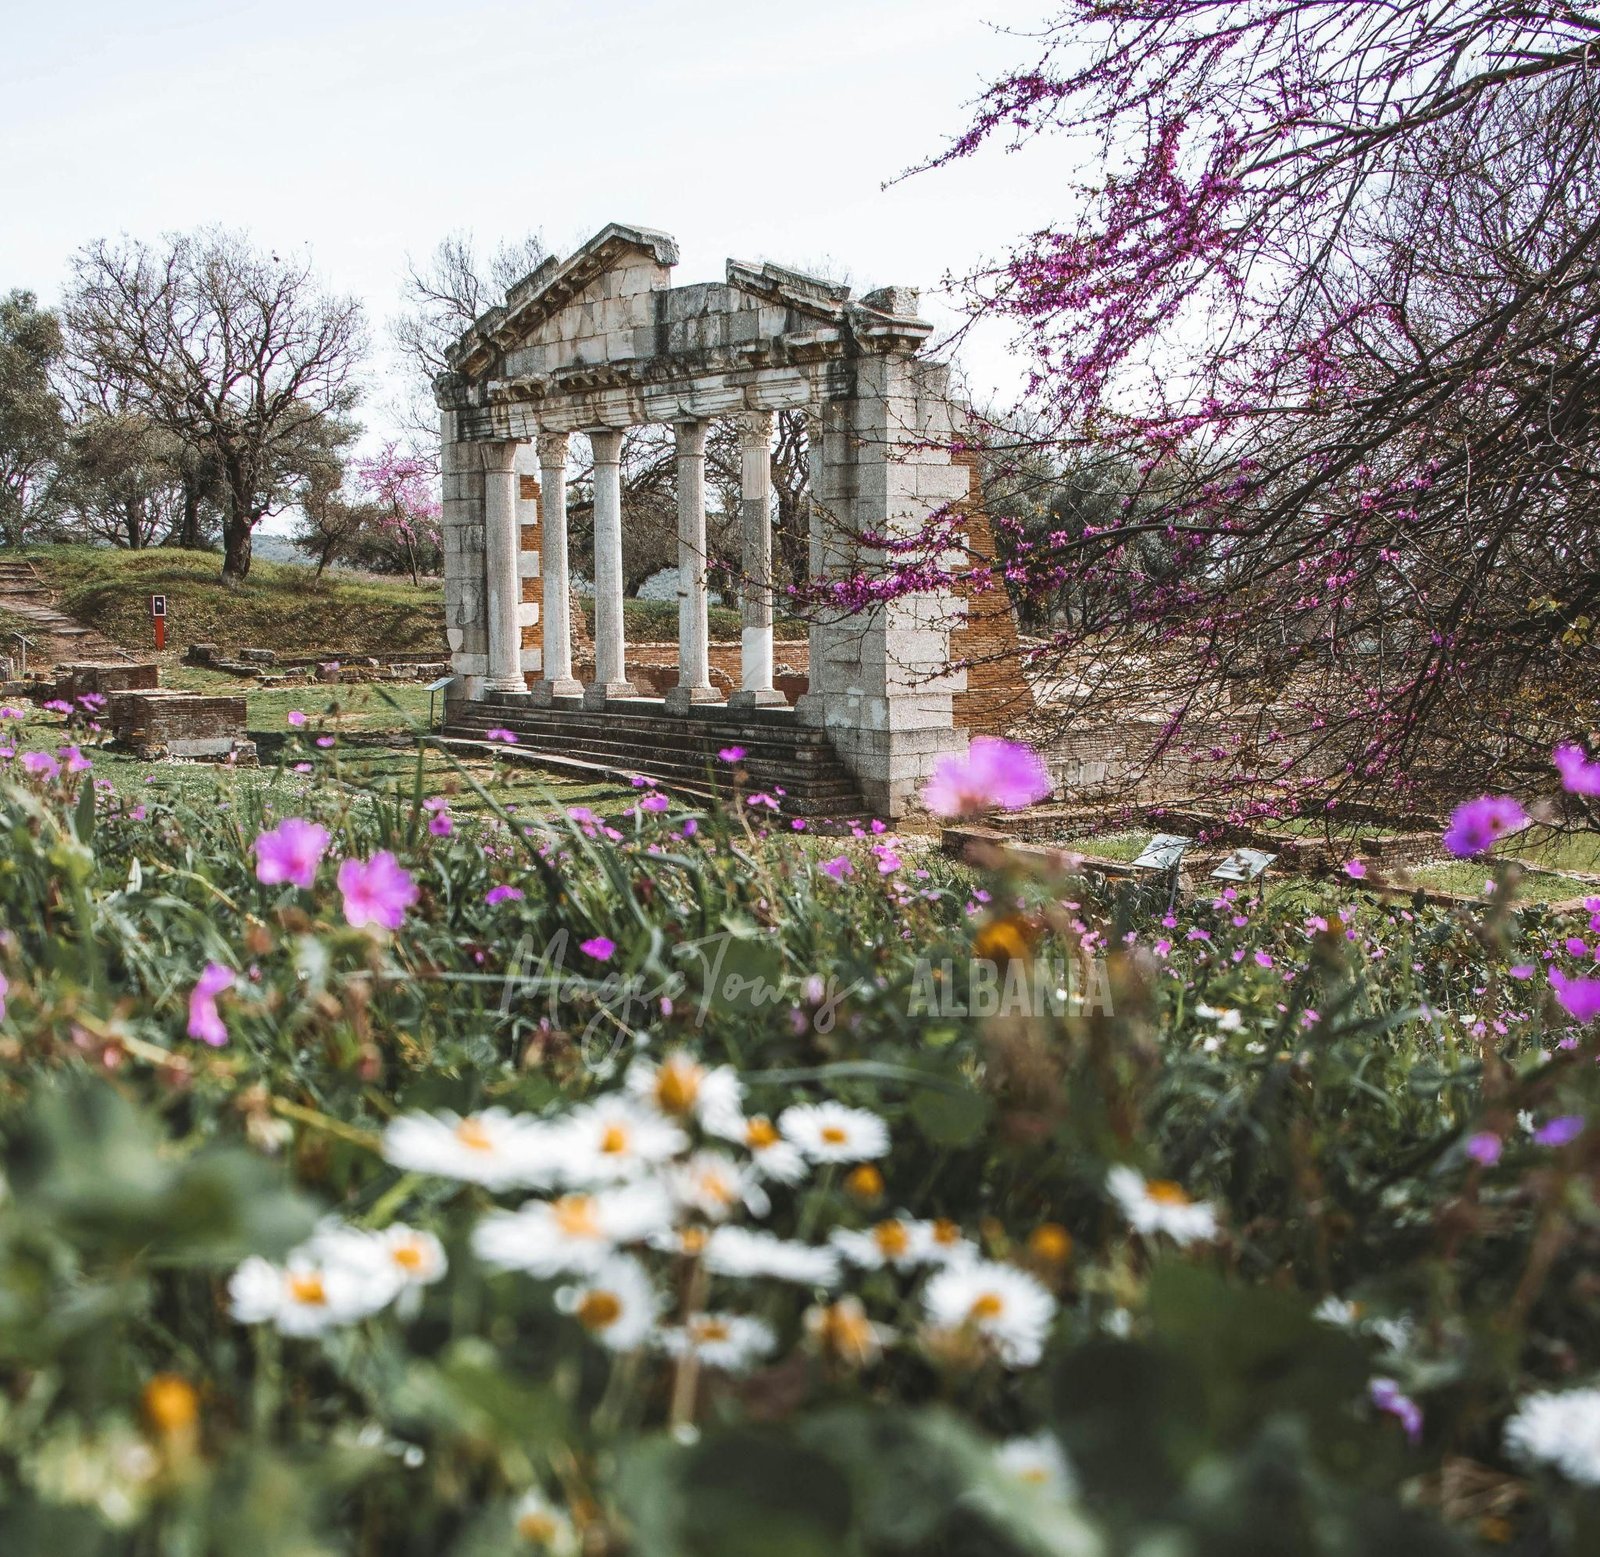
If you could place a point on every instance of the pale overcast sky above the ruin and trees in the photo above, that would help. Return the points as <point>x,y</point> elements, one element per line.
<point>369,129</point>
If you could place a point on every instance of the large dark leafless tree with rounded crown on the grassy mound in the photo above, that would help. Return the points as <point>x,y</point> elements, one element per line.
<point>239,354</point>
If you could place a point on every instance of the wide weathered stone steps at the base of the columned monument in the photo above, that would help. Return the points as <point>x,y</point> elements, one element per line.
<point>679,753</point>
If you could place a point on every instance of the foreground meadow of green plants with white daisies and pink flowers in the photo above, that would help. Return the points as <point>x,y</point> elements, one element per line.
<point>618,1185</point>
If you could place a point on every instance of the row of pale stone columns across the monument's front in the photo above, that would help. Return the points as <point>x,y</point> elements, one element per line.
<point>503,545</point>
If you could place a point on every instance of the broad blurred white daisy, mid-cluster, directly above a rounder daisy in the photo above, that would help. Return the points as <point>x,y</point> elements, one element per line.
<point>572,1235</point>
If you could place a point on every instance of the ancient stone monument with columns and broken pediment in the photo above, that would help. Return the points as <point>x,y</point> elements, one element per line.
<point>604,342</point>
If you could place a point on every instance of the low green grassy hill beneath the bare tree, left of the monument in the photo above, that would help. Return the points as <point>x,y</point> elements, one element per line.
<point>282,606</point>
